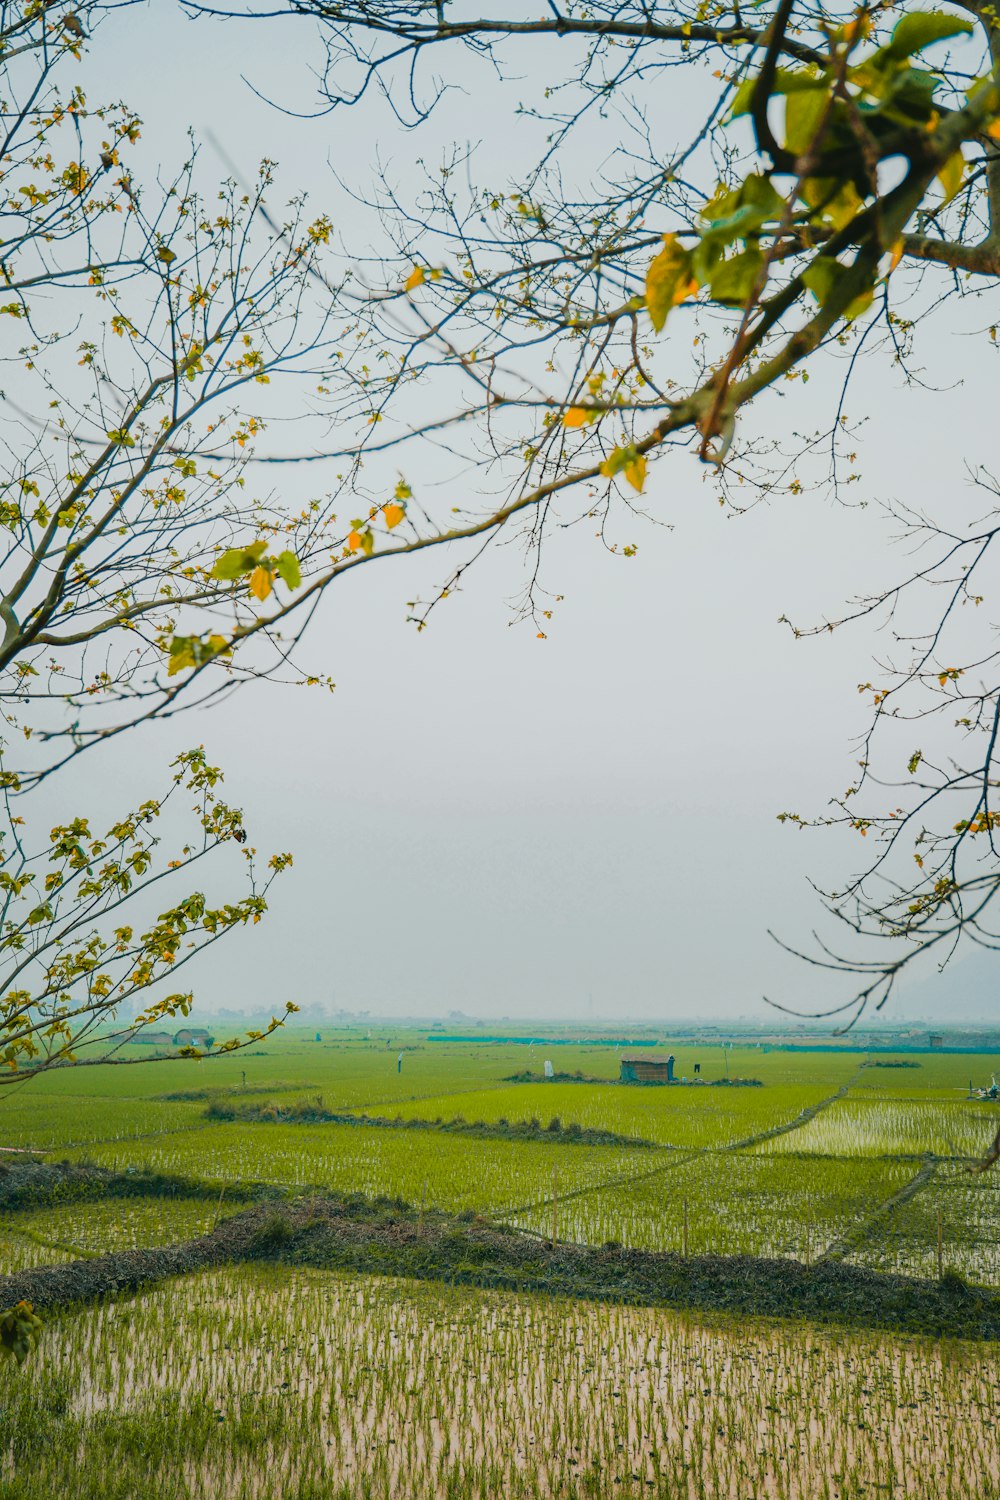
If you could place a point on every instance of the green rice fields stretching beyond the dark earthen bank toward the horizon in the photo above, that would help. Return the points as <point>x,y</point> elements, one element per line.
<point>786,1169</point>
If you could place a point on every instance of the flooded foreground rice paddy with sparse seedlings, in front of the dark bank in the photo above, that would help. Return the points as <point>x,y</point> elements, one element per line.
<point>388,1388</point>
